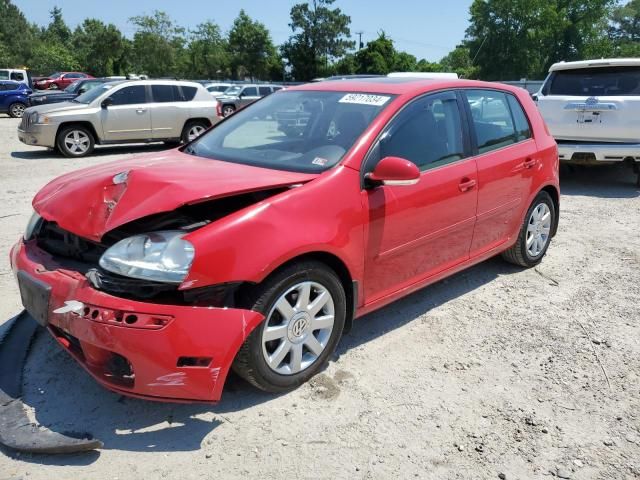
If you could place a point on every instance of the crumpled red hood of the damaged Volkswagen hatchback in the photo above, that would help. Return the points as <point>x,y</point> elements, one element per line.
<point>89,203</point>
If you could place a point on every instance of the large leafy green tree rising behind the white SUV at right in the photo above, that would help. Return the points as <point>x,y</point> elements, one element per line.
<point>510,39</point>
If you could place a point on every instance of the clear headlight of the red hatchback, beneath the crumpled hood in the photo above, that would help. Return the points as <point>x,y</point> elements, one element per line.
<point>158,256</point>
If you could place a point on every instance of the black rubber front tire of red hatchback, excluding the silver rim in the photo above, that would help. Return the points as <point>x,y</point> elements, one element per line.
<point>250,363</point>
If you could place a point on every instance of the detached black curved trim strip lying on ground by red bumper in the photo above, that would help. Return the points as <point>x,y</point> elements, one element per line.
<point>16,430</point>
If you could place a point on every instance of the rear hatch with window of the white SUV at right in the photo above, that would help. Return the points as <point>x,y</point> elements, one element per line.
<point>594,104</point>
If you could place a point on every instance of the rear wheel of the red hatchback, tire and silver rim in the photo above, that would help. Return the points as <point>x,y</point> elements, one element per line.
<point>535,234</point>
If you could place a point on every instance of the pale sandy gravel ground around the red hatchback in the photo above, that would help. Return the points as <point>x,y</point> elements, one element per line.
<point>496,372</point>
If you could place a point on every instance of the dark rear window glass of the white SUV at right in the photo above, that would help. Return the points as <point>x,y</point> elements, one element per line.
<point>592,82</point>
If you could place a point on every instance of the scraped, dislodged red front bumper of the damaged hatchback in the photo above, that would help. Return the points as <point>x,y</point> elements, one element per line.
<point>149,350</point>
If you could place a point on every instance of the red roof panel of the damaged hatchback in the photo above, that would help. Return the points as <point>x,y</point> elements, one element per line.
<point>400,85</point>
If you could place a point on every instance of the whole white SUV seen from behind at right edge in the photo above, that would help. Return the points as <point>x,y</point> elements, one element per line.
<point>592,109</point>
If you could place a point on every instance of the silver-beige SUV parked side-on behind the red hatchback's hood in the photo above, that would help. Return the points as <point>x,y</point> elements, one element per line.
<point>121,112</point>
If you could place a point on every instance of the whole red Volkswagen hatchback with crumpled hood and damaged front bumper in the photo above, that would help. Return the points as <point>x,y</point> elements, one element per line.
<point>255,250</point>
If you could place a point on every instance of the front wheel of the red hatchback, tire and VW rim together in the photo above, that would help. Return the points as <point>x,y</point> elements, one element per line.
<point>305,309</point>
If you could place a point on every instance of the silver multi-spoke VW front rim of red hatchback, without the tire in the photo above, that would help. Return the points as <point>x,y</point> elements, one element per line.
<point>298,328</point>
